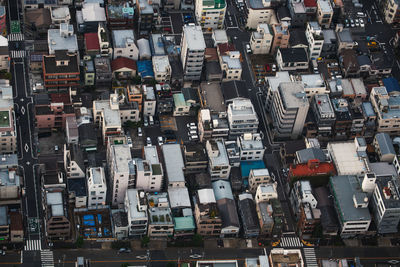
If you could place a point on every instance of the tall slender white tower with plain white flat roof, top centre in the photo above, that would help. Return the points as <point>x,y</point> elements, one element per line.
<point>192,53</point>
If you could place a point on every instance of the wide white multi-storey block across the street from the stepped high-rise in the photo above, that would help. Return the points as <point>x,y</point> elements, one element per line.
<point>242,117</point>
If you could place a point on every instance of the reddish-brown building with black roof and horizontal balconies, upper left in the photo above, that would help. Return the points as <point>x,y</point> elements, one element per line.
<point>60,71</point>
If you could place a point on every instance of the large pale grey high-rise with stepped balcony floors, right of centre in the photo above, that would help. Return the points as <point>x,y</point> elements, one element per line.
<point>289,110</point>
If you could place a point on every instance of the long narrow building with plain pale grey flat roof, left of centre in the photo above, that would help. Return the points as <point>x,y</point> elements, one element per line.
<point>174,165</point>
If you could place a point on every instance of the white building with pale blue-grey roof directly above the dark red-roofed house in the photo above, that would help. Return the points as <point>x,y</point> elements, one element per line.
<point>124,44</point>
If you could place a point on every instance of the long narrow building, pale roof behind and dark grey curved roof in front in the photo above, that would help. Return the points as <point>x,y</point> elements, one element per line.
<point>227,209</point>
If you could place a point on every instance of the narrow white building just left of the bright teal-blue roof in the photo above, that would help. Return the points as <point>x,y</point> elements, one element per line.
<point>218,167</point>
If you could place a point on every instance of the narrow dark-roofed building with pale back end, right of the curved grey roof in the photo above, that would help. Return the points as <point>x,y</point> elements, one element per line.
<point>248,214</point>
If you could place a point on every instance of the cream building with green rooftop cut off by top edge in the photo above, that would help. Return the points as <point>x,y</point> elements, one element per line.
<point>211,13</point>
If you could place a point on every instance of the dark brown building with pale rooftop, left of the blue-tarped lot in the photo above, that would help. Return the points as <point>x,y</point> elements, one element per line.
<point>56,216</point>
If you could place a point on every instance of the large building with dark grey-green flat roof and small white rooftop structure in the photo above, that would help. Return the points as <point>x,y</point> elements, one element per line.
<point>351,205</point>
